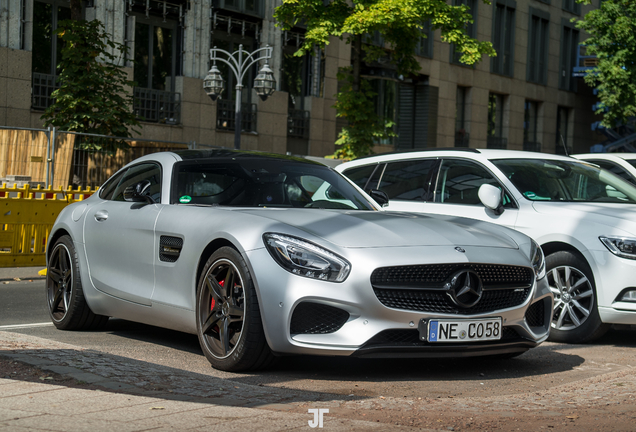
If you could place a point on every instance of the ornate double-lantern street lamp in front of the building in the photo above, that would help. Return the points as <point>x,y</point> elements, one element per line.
<point>239,62</point>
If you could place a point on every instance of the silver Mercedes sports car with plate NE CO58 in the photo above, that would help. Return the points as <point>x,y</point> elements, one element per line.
<point>261,255</point>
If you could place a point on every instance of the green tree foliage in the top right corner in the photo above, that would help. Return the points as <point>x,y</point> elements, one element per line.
<point>612,30</point>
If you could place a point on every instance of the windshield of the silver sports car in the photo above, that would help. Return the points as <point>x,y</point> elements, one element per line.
<point>261,182</point>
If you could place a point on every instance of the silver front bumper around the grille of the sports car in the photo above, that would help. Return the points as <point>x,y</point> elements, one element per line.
<point>368,320</point>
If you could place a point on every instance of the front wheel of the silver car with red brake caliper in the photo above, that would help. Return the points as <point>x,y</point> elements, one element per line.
<point>229,323</point>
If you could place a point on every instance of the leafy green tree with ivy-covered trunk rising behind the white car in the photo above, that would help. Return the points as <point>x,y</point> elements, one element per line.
<point>400,22</point>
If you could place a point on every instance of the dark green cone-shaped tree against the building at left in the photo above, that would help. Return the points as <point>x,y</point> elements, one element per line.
<point>94,94</point>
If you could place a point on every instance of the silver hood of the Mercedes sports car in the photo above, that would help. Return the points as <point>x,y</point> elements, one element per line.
<point>361,229</point>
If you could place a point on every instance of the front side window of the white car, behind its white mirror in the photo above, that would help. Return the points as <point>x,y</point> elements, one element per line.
<point>459,181</point>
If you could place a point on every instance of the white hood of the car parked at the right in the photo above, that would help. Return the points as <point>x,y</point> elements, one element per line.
<point>614,216</point>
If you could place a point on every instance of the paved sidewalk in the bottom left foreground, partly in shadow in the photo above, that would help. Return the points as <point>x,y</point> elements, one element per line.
<point>85,390</point>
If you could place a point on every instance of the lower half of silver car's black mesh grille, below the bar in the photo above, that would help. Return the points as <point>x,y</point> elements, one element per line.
<point>437,301</point>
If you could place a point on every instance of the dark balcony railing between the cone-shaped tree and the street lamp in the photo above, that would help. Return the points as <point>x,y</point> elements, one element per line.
<point>157,106</point>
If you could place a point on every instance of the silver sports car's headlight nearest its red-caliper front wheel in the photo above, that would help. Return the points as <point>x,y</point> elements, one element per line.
<point>306,259</point>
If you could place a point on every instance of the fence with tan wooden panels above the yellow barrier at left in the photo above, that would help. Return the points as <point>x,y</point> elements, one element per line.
<point>49,157</point>
